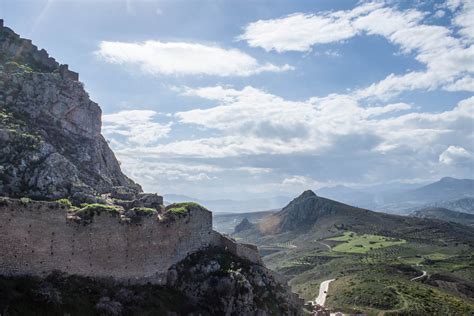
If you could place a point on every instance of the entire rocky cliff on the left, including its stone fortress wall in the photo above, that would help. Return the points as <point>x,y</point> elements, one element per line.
<point>128,254</point>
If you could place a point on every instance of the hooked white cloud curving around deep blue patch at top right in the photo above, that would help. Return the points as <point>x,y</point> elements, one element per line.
<point>446,57</point>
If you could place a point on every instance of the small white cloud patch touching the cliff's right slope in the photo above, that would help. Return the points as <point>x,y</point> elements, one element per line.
<point>137,126</point>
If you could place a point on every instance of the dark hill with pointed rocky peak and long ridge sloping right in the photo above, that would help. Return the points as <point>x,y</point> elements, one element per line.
<point>314,217</point>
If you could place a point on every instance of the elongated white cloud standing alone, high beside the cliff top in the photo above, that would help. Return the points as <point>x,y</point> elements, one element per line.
<point>179,58</point>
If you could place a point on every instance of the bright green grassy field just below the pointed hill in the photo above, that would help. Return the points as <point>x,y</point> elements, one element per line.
<point>354,243</point>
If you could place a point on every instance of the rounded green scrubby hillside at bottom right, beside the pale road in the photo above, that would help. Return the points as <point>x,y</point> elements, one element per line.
<point>374,291</point>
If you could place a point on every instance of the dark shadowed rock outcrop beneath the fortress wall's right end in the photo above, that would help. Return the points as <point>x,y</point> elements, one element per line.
<point>222,284</point>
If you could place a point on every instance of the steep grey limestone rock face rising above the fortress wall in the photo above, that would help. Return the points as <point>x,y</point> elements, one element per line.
<point>50,130</point>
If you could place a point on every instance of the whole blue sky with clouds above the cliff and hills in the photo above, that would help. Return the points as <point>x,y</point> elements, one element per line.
<point>246,99</point>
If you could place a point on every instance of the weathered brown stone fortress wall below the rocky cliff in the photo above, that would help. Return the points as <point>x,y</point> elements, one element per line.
<point>36,239</point>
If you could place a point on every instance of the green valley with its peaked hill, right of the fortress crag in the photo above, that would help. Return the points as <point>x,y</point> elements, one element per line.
<point>381,264</point>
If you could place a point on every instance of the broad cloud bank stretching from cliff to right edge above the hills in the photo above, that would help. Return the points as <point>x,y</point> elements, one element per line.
<point>332,139</point>
